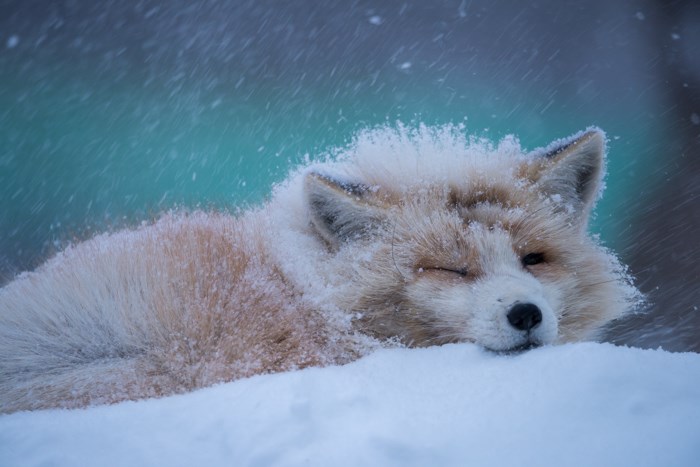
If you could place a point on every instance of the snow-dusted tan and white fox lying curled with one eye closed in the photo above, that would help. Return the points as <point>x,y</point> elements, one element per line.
<point>408,237</point>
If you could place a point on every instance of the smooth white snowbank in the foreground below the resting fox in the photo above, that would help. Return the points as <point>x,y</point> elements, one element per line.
<point>583,404</point>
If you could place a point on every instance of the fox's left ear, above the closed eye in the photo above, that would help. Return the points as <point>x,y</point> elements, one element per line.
<point>341,211</point>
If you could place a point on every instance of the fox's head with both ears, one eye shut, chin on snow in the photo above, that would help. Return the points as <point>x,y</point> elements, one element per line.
<point>498,256</point>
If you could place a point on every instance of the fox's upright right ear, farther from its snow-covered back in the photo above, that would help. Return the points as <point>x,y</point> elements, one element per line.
<point>572,170</point>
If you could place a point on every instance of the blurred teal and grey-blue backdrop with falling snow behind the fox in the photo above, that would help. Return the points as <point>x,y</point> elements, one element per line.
<point>113,111</point>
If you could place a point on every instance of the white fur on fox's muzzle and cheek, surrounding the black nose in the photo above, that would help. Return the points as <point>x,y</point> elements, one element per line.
<point>476,309</point>
